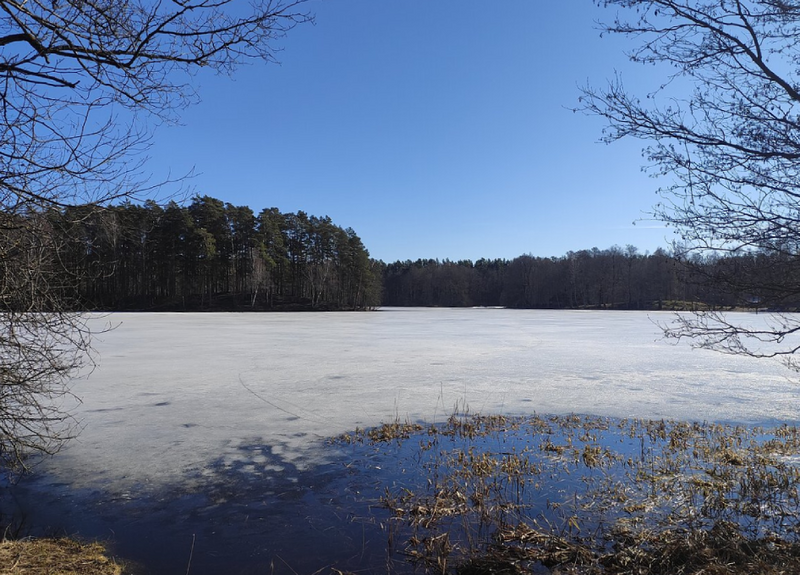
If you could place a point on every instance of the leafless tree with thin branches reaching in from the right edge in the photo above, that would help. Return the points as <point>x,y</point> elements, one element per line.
<point>724,131</point>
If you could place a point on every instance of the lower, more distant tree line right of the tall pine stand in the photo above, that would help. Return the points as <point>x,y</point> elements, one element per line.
<point>614,278</point>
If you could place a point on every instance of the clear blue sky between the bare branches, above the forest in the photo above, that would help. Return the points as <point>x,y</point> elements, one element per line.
<point>434,129</point>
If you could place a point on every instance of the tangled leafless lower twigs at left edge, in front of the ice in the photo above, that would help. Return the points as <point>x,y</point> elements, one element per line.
<point>42,343</point>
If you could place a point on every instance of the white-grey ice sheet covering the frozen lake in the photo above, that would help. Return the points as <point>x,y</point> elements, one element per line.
<point>174,390</point>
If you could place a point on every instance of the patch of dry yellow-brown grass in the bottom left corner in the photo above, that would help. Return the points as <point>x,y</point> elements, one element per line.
<point>55,557</point>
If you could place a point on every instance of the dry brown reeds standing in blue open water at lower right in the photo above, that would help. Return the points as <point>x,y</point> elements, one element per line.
<point>592,496</point>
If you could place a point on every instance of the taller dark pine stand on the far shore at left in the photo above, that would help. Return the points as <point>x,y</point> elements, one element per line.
<point>211,255</point>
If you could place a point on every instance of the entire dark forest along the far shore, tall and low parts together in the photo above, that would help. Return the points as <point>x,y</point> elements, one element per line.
<point>211,255</point>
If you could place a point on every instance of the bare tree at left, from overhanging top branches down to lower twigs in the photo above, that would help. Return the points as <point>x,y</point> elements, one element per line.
<point>82,82</point>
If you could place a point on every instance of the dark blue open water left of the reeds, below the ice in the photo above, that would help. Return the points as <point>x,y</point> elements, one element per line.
<point>256,514</point>
